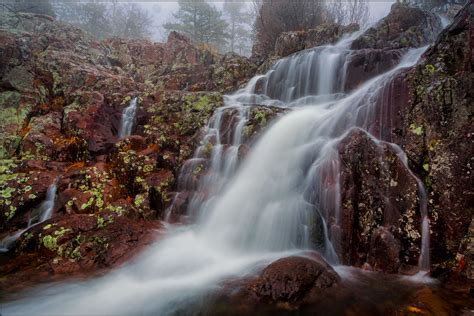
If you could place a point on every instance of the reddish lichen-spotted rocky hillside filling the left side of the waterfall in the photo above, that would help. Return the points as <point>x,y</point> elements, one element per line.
<point>62,94</point>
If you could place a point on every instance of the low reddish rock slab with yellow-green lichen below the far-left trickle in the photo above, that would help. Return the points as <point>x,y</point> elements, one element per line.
<point>75,245</point>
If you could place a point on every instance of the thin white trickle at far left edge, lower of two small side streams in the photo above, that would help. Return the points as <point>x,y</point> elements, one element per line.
<point>38,216</point>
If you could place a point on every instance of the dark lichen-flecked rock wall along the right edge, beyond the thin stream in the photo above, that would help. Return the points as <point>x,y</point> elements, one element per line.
<point>437,133</point>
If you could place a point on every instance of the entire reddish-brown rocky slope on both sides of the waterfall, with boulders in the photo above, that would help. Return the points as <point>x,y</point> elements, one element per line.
<point>61,98</point>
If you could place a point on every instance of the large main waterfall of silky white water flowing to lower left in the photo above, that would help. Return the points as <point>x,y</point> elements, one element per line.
<point>261,213</point>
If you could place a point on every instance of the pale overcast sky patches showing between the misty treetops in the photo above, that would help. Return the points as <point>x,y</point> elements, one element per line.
<point>163,12</point>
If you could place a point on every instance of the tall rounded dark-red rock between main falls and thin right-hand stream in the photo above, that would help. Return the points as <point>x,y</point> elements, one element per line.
<point>378,192</point>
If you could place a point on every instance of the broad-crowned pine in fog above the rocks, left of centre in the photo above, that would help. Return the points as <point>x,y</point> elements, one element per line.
<point>201,22</point>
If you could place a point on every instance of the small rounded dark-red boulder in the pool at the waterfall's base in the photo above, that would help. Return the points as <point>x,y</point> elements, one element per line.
<point>294,280</point>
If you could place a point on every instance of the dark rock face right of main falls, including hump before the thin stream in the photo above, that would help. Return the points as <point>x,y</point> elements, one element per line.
<point>430,110</point>
